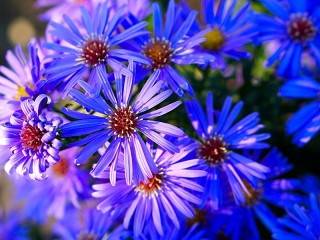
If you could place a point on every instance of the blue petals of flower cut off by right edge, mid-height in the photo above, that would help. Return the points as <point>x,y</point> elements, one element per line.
<point>306,122</point>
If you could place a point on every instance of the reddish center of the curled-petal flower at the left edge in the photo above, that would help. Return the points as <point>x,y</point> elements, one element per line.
<point>31,137</point>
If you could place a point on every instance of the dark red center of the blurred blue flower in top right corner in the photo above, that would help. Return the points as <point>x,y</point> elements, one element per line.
<point>300,27</point>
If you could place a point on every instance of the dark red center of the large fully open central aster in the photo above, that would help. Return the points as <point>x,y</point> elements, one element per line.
<point>123,122</point>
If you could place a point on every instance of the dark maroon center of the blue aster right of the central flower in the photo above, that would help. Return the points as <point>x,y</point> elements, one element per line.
<point>213,150</point>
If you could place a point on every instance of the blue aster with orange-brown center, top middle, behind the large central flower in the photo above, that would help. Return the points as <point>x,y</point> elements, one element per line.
<point>169,44</point>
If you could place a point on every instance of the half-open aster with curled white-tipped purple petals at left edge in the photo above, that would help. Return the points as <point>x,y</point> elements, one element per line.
<point>32,139</point>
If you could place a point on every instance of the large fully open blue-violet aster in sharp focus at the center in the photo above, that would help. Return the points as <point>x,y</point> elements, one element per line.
<point>119,124</point>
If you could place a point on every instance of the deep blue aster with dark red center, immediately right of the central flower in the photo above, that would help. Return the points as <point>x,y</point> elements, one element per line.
<point>220,140</point>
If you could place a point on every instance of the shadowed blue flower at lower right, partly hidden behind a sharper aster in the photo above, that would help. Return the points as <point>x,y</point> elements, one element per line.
<point>271,191</point>
